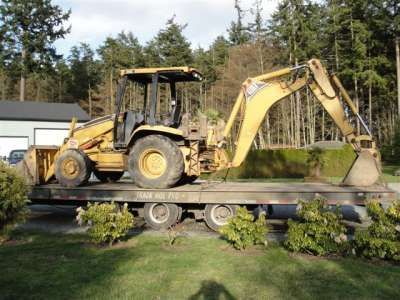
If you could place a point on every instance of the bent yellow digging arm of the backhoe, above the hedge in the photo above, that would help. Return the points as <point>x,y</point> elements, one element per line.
<point>260,93</point>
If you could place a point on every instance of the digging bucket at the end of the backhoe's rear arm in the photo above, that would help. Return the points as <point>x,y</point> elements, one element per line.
<point>365,170</point>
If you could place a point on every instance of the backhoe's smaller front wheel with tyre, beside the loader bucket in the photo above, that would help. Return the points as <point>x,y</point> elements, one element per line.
<point>73,168</point>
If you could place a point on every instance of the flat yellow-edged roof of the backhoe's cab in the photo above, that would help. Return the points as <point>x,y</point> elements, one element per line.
<point>169,74</point>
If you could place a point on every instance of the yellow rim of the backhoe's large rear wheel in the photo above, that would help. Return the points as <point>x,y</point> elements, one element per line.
<point>152,163</point>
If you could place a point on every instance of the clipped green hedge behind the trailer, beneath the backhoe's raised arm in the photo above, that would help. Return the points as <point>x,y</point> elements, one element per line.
<point>290,163</point>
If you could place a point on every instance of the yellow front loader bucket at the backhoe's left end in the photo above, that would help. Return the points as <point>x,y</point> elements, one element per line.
<point>36,164</point>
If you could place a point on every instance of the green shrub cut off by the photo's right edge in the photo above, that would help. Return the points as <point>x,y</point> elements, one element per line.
<point>382,238</point>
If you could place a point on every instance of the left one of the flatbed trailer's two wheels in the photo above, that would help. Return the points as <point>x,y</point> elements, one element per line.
<point>161,215</point>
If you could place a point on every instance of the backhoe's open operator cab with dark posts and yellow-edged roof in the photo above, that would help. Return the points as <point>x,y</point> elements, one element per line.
<point>150,81</point>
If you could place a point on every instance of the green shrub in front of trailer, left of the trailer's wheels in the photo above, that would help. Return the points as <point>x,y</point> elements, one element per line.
<point>107,221</point>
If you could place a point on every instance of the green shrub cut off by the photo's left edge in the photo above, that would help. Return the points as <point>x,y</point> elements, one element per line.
<point>13,198</point>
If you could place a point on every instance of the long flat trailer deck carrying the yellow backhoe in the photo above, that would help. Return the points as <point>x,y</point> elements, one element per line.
<point>205,192</point>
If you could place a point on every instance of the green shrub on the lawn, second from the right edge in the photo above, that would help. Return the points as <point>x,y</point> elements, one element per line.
<point>319,230</point>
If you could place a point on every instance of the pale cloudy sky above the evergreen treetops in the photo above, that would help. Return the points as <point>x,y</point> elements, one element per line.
<point>93,20</point>
